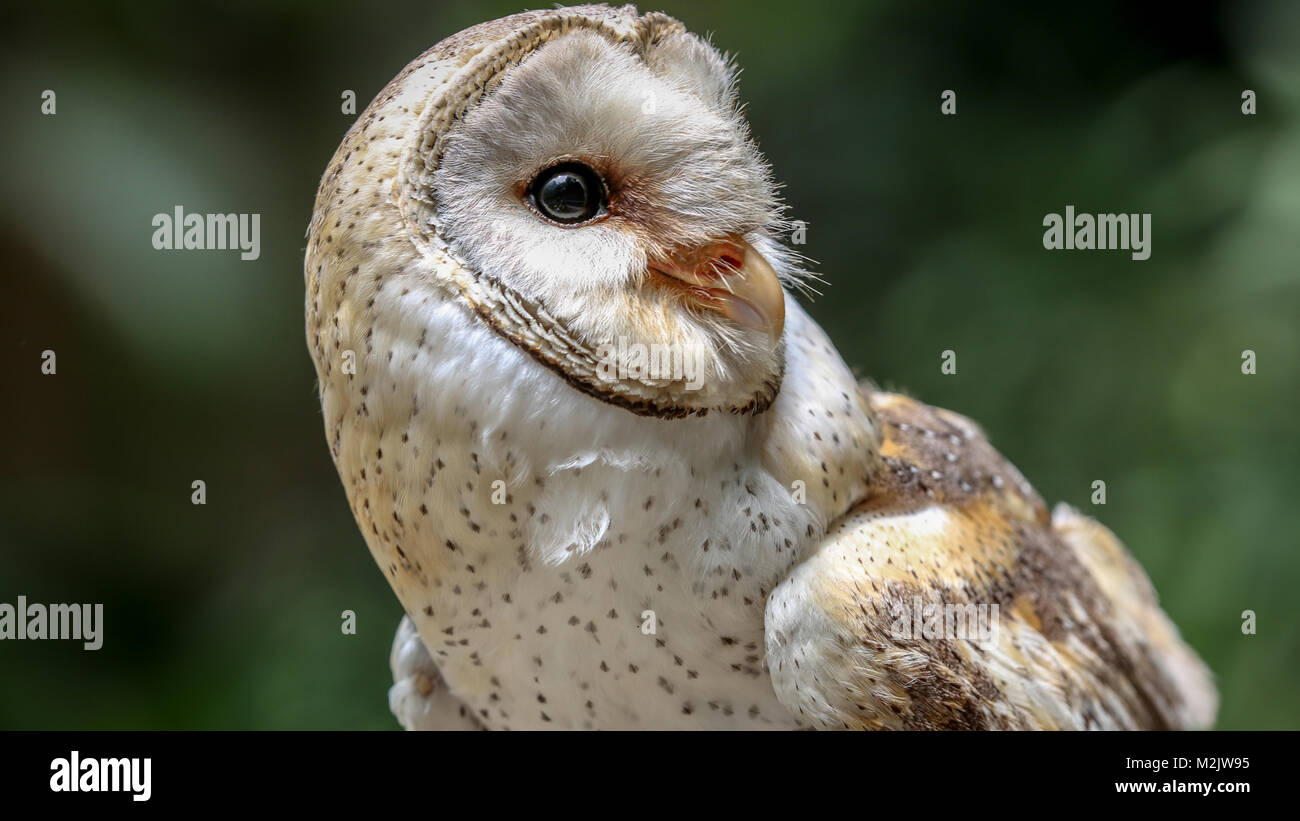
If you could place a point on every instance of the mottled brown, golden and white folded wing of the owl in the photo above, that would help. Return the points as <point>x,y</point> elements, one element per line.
<point>950,600</point>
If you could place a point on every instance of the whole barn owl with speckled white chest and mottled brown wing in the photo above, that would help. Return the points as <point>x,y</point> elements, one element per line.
<point>616,474</point>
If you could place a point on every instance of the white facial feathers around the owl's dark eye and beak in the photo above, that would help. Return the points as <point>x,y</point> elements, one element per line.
<point>669,140</point>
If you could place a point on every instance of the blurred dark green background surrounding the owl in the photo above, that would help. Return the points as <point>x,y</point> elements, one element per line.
<point>177,367</point>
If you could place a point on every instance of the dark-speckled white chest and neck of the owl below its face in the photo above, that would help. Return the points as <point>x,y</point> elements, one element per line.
<point>570,564</point>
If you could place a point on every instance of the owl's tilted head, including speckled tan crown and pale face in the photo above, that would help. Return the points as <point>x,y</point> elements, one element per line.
<point>583,183</point>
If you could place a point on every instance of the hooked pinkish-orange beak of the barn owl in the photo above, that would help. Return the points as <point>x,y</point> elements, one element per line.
<point>735,281</point>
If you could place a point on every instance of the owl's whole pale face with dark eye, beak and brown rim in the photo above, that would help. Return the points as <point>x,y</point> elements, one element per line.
<point>608,190</point>
